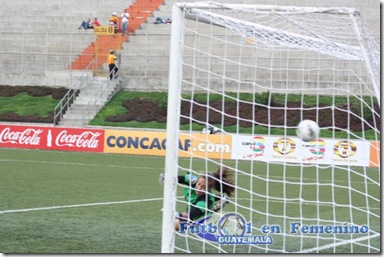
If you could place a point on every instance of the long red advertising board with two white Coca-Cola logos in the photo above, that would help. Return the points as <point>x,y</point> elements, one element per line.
<point>71,139</point>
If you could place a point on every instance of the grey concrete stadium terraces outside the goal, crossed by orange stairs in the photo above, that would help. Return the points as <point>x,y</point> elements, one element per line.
<point>39,40</point>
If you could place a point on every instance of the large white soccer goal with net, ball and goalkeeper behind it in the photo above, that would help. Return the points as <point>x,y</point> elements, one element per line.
<point>254,72</point>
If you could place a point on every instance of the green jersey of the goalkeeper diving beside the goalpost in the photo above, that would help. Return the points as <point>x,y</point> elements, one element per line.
<point>198,205</point>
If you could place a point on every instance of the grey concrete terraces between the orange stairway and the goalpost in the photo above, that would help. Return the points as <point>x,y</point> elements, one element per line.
<point>148,67</point>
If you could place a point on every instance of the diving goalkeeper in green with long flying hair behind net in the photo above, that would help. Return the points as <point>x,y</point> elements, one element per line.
<point>201,201</point>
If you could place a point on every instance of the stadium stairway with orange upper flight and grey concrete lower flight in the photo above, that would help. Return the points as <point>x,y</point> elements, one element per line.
<point>94,96</point>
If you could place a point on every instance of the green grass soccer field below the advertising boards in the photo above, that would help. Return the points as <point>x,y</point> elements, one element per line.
<point>67,202</point>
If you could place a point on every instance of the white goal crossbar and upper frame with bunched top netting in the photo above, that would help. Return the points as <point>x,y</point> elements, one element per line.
<point>279,38</point>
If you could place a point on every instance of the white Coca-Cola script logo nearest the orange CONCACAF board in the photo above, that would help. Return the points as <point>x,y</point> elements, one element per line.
<point>86,139</point>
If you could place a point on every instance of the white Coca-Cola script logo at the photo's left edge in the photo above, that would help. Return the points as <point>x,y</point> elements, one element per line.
<point>27,137</point>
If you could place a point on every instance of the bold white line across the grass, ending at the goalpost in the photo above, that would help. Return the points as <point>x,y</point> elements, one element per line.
<point>78,205</point>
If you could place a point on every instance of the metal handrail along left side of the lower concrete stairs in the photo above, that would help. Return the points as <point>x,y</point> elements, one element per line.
<point>70,96</point>
